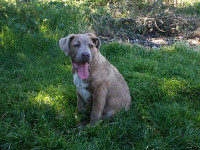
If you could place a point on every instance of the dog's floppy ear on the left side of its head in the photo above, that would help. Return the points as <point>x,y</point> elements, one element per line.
<point>64,43</point>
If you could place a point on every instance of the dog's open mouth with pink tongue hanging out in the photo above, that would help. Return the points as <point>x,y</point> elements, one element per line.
<point>82,69</point>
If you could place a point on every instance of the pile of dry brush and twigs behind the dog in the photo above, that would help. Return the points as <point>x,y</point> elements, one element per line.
<point>129,20</point>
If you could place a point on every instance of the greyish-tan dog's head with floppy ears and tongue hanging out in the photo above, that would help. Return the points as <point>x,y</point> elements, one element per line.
<point>81,48</point>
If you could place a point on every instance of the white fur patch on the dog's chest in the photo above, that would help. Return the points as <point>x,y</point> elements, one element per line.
<point>81,88</point>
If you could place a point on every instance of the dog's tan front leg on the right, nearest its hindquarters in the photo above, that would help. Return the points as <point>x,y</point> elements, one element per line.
<point>99,98</point>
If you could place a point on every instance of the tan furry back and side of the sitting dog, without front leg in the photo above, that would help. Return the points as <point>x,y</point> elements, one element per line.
<point>118,95</point>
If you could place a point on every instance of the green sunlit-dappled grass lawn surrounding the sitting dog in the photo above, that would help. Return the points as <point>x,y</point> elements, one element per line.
<point>38,98</point>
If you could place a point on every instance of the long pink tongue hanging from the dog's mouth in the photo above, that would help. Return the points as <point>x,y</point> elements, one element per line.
<point>83,70</point>
